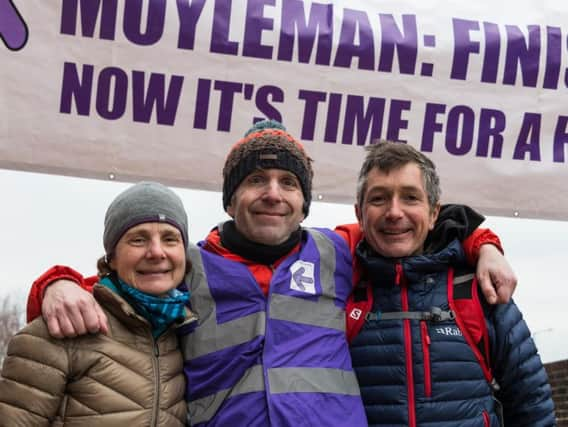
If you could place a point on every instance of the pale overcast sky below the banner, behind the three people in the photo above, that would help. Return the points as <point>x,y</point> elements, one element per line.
<point>59,220</point>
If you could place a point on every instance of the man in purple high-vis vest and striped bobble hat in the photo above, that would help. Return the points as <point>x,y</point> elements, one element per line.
<point>270,348</point>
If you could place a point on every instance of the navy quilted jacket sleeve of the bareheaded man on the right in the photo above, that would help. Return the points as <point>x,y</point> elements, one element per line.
<point>525,392</point>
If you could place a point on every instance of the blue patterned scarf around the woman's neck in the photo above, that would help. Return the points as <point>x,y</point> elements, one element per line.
<point>161,312</point>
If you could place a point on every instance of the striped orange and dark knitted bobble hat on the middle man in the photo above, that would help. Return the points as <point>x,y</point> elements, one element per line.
<point>267,145</point>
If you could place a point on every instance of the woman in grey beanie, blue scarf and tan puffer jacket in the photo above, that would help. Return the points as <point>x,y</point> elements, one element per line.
<point>134,373</point>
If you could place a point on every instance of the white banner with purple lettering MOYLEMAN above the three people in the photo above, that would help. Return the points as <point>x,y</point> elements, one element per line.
<point>161,89</point>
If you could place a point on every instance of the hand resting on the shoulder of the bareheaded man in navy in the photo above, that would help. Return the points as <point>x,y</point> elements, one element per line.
<point>496,277</point>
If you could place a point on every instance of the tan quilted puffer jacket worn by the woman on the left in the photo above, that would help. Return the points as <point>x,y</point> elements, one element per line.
<point>125,379</point>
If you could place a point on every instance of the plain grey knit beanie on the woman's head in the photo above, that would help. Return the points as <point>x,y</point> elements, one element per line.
<point>143,202</point>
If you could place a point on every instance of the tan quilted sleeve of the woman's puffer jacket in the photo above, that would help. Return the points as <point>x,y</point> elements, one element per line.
<point>34,377</point>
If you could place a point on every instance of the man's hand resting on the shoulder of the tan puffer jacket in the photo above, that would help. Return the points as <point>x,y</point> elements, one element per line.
<point>70,311</point>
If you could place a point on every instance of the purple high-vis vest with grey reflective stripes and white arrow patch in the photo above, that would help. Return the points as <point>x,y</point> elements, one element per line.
<point>281,360</point>
